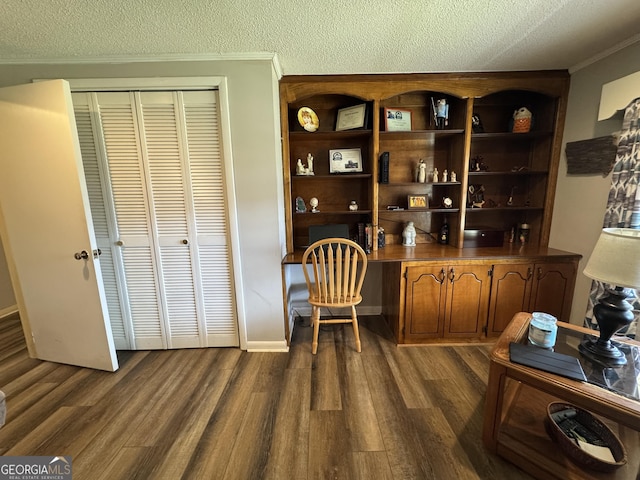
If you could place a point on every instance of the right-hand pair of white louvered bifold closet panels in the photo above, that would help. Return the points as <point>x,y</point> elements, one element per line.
<point>183,156</point>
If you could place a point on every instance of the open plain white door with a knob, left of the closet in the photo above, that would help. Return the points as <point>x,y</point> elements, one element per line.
<point>44,222</point>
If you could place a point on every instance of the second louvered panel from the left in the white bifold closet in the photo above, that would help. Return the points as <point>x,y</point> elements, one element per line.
<point>131,231</point>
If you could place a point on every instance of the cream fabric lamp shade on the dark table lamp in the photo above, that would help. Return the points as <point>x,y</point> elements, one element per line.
<point>615,259</point>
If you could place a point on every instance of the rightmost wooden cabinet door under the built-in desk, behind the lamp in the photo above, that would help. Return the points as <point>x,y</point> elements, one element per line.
<point>552,289</point>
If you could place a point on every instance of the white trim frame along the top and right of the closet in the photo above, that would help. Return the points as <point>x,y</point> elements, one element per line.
<point>193,83</point>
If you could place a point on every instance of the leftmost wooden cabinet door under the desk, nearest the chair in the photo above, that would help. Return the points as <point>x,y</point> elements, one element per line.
<point>425,302</point>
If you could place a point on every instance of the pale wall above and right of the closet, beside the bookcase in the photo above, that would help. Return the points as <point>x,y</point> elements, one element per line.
<point>255,131</point>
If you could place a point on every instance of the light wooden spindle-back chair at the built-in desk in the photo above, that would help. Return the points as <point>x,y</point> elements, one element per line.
<point>338,266</point>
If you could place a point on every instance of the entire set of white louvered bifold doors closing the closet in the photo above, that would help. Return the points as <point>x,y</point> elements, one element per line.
<point>161,201</point>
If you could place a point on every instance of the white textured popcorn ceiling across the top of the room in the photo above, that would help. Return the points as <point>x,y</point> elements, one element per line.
<point>326,36</point>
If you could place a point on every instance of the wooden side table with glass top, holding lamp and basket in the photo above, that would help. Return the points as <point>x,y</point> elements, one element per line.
<point>516,402</point>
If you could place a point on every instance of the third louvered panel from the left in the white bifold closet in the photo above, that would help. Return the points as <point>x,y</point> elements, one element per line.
<point>164,152</point>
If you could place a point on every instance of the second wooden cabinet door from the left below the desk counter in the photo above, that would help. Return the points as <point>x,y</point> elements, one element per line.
<point>468,288</point>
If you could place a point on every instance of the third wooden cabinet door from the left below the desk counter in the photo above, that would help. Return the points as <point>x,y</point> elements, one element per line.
<point>510,294</point>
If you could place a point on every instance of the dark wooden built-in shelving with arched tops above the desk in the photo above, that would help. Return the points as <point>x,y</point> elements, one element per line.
<point>518,173</point>
